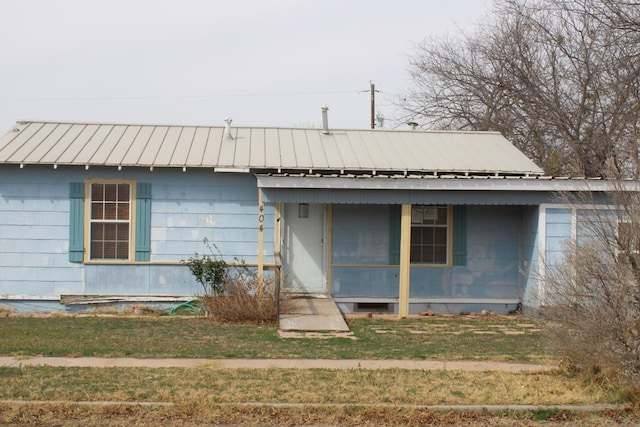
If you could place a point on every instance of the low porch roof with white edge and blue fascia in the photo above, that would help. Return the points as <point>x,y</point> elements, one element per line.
<point>430,189</point>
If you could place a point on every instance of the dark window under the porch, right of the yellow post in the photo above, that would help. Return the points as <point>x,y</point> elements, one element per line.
<point>430,242</point>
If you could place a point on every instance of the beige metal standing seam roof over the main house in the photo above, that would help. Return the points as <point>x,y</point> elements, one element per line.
<point>127,145</point>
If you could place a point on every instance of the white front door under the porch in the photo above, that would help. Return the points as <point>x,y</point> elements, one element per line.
<point>303,248</point>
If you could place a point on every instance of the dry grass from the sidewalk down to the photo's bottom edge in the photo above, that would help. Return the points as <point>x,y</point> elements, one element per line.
<point>209,395</point>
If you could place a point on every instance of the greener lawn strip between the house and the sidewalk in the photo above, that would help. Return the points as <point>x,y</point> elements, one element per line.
<point>438,338</point>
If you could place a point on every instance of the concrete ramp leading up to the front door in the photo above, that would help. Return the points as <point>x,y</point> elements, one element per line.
<point>308,313</point>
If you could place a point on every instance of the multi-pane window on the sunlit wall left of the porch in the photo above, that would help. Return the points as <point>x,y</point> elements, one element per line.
<point>110,221</point>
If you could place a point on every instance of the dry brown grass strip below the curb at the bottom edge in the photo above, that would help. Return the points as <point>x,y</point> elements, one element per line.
<point>70,414</point>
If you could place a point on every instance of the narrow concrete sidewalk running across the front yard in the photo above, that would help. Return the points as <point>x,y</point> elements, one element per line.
<point>106,362</point>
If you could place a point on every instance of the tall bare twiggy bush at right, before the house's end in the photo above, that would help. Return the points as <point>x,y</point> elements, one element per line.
<point>592,297</point>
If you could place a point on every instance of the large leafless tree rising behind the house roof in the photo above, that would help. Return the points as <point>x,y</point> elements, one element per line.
<point>560,79</point>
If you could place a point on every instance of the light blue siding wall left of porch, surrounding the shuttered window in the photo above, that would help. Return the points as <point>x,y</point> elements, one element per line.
<point>186,208</point>
